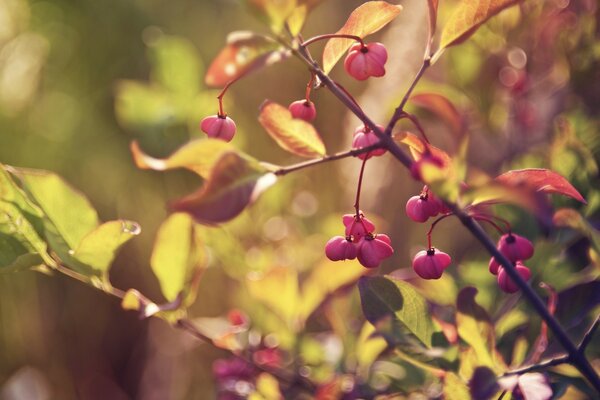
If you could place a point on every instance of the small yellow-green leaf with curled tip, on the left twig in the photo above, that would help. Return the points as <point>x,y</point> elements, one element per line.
<point>99,248</point>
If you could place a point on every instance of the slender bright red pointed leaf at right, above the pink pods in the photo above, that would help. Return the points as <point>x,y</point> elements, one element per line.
<point>540,180</point>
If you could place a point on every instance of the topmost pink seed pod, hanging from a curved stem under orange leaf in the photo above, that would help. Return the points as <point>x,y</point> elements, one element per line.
<point>363,62</point>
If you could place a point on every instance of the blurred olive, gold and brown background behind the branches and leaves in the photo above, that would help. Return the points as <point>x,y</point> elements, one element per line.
<point>79,80</point>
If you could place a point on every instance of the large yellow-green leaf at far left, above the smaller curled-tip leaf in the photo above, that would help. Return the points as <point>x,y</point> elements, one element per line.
<point>66,208</point>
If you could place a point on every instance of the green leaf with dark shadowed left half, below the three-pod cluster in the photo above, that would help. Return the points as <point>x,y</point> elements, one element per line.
<point>385,300</point>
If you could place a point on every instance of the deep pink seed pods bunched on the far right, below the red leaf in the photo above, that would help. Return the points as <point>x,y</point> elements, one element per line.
<point>516,248</point>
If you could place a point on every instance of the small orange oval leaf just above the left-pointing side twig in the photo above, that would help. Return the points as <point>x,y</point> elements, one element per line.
<point>292,134</point>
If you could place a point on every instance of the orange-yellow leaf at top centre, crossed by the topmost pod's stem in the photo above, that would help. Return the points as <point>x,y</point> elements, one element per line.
<point>368,18</point>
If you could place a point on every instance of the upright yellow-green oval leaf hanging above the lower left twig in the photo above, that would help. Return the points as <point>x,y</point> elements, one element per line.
<point>178,258</point>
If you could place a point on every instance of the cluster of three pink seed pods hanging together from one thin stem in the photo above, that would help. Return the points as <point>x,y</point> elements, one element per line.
<point>360,242</point>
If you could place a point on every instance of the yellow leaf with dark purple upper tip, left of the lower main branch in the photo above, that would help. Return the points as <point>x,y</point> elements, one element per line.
<point>475,327</point>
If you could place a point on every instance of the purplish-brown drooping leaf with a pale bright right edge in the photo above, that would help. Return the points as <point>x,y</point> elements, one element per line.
<point>233,184</point>
